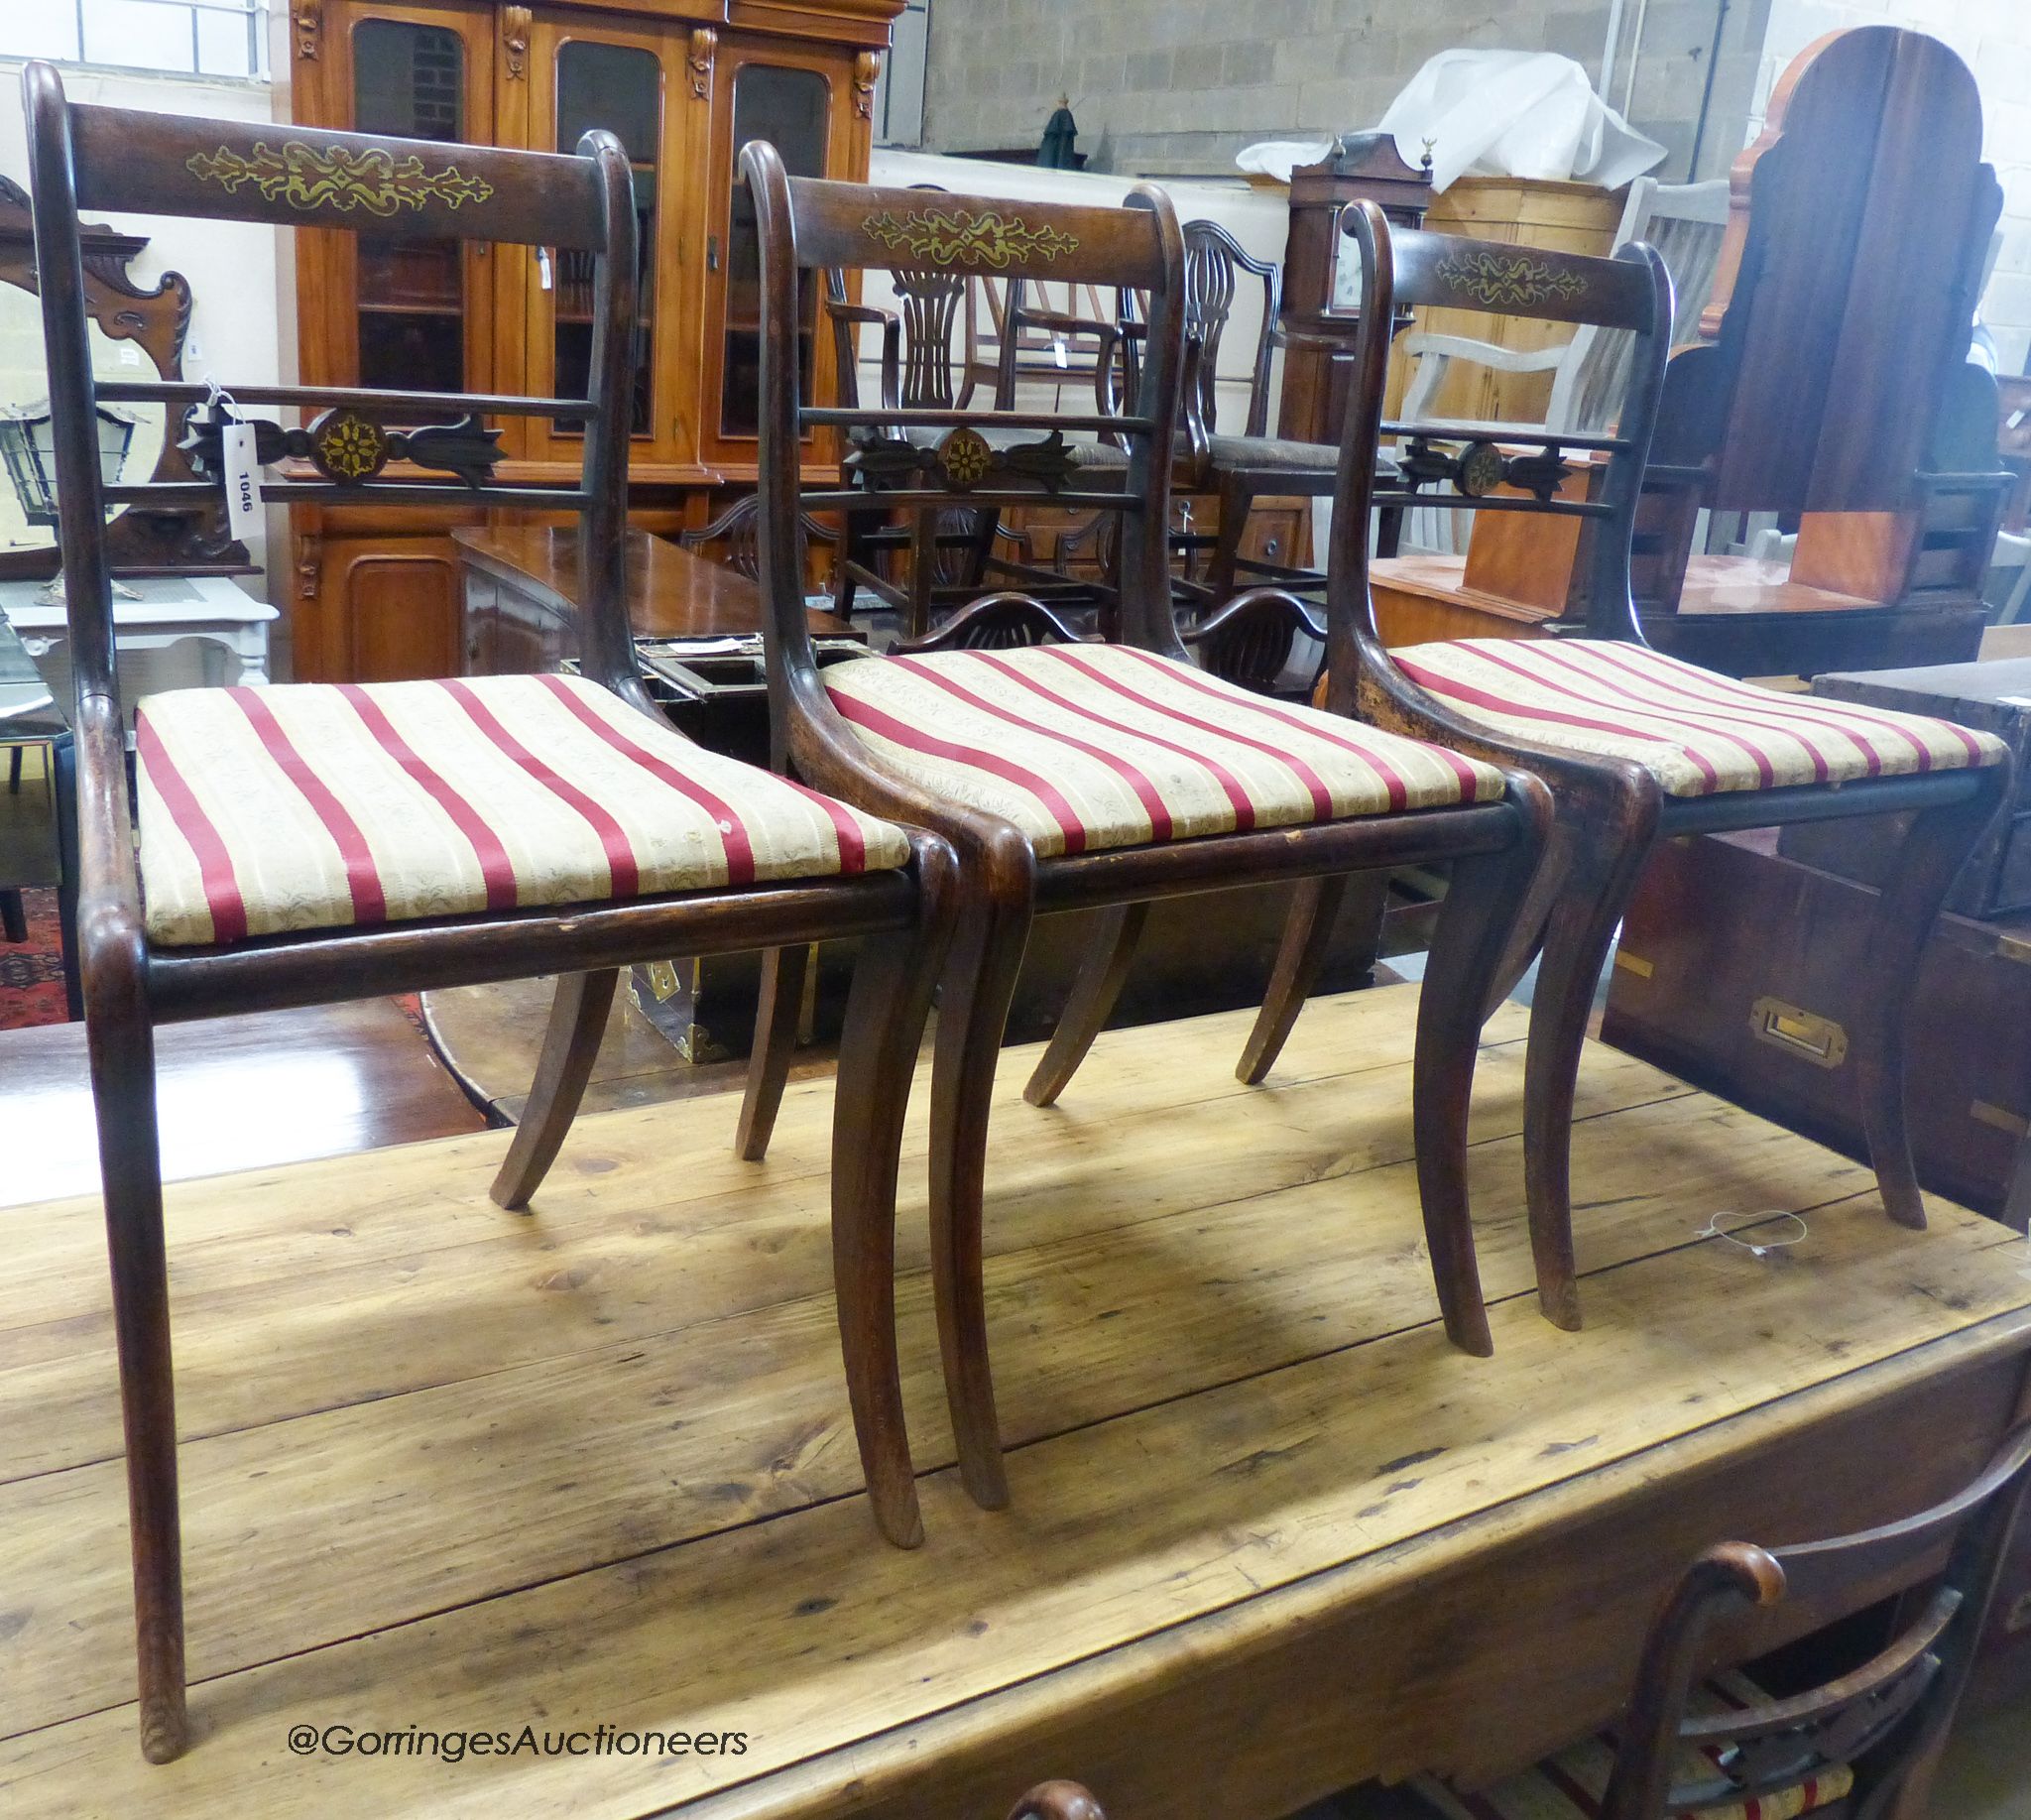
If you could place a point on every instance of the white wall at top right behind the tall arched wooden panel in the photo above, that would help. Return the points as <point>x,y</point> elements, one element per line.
<point>1993,40</point>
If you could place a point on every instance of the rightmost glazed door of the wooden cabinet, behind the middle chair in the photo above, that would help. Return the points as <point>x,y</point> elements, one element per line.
<point>799,109</point>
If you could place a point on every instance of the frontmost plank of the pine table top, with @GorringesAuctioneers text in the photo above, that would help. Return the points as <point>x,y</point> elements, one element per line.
<point>803,1632</point>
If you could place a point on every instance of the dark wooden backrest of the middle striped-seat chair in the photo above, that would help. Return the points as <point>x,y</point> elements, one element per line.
<point>811,224</point>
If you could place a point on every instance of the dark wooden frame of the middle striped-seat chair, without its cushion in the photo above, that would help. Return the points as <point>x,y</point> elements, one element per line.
<point>1002,883</point>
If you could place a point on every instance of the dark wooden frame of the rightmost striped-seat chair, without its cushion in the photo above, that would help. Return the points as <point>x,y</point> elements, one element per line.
<point>1612,811</point>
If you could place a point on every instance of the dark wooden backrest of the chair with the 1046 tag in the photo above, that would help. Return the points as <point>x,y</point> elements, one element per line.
<point>389,188</point>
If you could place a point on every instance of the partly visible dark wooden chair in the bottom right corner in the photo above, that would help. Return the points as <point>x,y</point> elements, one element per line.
<point>1884,1719</point>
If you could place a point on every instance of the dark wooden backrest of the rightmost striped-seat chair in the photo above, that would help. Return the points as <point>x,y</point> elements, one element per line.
<point>1400,267</point>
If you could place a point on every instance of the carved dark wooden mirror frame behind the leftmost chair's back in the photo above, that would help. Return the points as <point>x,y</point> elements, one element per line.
<point>172,541</point>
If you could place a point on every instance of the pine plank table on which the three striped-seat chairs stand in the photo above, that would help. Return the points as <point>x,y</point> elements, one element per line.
<point>454,1470</point>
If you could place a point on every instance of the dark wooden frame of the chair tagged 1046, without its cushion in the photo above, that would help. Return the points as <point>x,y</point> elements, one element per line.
<point>157,166</point>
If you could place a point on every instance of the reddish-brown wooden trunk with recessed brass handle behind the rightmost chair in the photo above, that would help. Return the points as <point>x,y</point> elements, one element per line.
<point>1744,972</point>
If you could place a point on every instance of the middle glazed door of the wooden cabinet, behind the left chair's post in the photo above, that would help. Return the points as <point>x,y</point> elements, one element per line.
<point>616,80</point>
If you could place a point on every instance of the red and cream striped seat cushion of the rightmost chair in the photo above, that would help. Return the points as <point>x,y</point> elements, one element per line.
<point>1699,732</point>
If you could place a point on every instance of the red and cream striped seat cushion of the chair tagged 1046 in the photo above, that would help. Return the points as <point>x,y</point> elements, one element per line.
<point>336,805</point>
